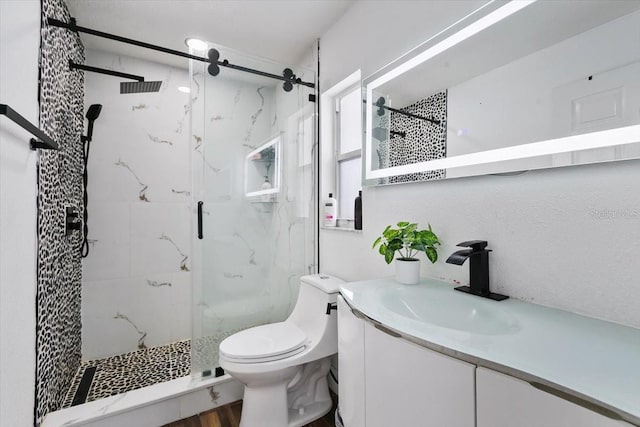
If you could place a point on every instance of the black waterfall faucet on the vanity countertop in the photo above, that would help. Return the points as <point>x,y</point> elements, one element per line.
<point>478,269</point>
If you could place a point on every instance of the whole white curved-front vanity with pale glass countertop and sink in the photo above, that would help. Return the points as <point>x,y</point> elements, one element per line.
<point>402,367</point>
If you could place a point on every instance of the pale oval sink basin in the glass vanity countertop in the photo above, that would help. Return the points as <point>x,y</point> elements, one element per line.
<point>448,310</point>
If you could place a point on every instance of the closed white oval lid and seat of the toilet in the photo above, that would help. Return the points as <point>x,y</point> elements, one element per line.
<point>264,342</point>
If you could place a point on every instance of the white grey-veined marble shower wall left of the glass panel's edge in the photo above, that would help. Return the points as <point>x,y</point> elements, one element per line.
<point>136,279</point>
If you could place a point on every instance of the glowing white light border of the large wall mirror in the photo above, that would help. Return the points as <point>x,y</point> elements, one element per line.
<point>607,138</point>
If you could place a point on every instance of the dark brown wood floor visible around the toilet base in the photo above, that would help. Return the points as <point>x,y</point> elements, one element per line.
<point>229,416</point>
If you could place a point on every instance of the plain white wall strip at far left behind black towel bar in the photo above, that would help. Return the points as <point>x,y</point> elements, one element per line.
<point>19,50</point>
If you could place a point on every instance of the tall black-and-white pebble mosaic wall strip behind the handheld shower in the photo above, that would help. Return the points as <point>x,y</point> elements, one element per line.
<point>59,270</point>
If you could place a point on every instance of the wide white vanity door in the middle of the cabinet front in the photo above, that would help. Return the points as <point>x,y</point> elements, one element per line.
<point>410,386</point>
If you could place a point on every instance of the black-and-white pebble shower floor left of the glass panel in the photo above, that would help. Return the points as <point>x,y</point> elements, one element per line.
<point>131,371</point>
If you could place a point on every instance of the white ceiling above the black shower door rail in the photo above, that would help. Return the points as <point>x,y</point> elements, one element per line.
<point>280,30</point>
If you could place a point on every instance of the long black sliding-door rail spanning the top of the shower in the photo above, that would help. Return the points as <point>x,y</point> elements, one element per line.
<point>74,27</point>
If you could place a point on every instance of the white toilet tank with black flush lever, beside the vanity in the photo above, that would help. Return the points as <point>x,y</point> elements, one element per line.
<point>309,314</point>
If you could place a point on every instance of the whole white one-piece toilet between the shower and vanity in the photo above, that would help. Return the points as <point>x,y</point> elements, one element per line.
<point>284,365</point>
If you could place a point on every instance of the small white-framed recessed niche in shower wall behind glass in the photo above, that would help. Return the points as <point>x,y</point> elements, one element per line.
<point>262,172</point>
